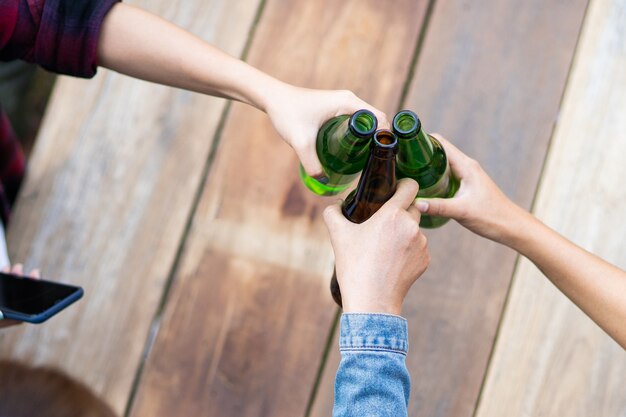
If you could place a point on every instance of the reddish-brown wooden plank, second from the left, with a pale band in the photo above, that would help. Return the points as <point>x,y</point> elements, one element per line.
<point>247,322</point>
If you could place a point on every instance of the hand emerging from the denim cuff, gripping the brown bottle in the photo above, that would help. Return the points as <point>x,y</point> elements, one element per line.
<point>377,261</point>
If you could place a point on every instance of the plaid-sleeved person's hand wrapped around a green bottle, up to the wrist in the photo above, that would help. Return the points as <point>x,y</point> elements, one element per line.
<point>298,113</point>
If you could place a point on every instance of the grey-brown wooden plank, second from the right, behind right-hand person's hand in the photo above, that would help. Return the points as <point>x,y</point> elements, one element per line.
<point>489,77</point>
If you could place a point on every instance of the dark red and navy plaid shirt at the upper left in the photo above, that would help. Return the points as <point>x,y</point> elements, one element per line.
<point>61,36</point>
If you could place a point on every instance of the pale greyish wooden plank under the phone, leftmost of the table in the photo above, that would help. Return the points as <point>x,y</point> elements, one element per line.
<point>111,184</point>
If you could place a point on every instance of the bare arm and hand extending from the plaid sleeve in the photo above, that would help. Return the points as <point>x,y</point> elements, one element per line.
<point>142,45</point>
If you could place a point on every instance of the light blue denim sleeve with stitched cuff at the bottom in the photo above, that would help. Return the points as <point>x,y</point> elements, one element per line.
<point>372,379</point>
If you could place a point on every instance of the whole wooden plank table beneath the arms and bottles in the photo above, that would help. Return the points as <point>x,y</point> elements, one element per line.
<point>206,262</point>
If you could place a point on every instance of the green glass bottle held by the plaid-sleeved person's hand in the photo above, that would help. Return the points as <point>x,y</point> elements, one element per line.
<point>342,148</point>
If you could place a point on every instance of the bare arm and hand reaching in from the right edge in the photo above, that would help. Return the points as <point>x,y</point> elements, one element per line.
<point>594,285</point>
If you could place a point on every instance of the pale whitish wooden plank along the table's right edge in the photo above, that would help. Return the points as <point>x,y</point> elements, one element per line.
<point>550,359</point>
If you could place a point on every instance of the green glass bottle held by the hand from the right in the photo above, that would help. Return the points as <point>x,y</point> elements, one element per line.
<point>422,158</point>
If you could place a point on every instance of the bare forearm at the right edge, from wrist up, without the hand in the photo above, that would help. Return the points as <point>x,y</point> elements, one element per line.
<point>595,286</point>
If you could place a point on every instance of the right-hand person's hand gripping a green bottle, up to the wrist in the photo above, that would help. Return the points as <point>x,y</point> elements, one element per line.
<point>479,205</point>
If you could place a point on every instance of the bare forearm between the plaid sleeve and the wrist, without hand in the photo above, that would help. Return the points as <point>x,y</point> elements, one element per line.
<point>142,45</point>
